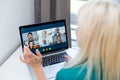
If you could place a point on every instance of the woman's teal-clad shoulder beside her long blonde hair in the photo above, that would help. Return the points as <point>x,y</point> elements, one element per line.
<point>73,73</point>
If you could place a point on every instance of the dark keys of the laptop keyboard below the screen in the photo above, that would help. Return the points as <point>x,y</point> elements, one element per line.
<point>53,59</point>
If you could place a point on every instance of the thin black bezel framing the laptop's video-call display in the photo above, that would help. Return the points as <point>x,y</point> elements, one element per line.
<point>45,23</point>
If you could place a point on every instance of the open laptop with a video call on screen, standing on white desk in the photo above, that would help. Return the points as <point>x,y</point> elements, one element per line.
<point>50,38</point>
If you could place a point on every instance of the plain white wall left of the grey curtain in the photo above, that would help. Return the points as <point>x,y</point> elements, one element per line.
<point>13,13</point>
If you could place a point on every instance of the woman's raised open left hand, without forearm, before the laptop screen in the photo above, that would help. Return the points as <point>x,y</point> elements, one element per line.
<point>29,58</point>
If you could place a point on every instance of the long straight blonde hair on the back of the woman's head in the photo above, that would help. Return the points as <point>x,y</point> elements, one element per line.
<point>98,35</point>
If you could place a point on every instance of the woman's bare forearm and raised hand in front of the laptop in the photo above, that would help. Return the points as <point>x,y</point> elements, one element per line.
<point>34,61</point>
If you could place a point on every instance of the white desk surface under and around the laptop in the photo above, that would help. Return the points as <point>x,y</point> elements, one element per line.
<point>14,69</point>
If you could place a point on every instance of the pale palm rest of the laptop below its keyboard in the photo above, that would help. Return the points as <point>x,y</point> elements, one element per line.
<point>51,71</point>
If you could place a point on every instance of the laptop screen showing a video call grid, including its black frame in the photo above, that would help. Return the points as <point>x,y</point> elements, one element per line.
<point>47,37</point>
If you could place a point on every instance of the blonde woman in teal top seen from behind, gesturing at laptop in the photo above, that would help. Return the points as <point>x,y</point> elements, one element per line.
<point>98,36</point>
